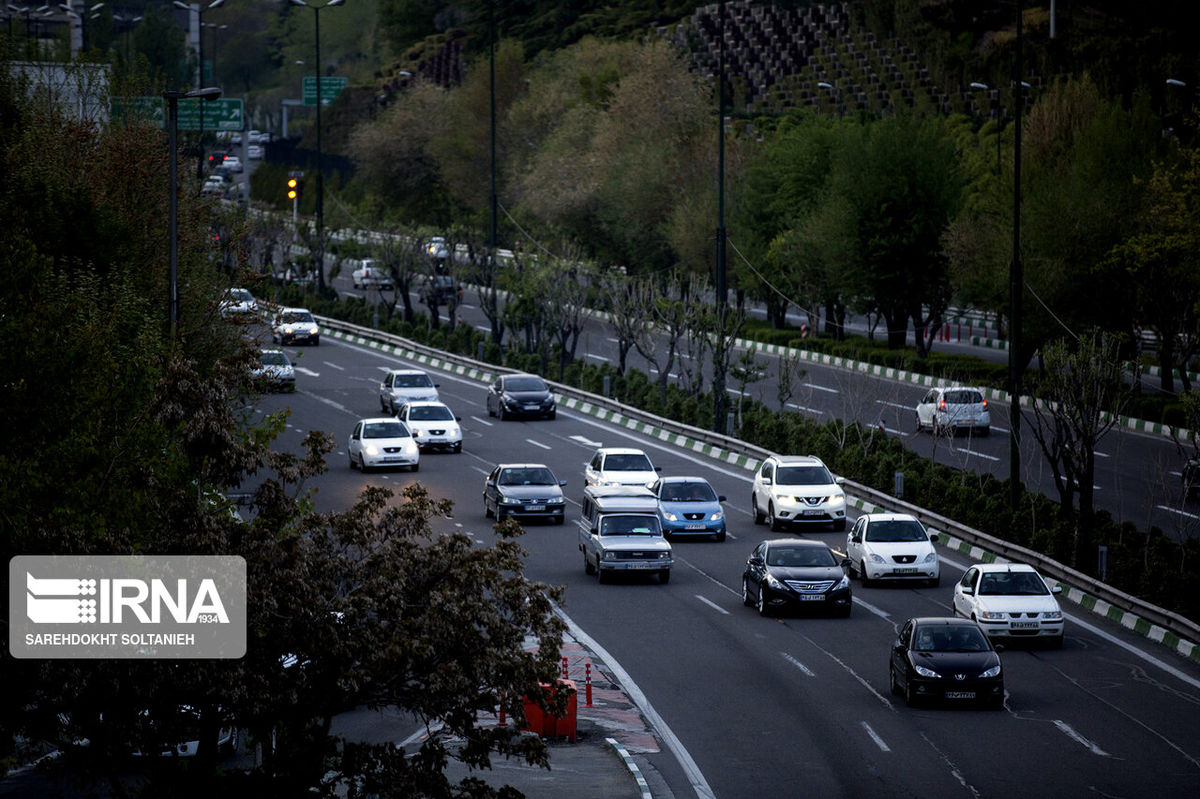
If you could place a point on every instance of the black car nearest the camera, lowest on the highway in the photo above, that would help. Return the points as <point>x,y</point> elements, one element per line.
<point>946,659</point>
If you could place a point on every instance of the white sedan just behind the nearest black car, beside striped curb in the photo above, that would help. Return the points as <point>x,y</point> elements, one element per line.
<point>1011,600</point>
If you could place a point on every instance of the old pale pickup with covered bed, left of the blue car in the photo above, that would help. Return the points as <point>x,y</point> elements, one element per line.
<point>621,532</point>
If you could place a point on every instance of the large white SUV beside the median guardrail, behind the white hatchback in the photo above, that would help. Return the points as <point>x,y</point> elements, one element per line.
<point>797,490</point>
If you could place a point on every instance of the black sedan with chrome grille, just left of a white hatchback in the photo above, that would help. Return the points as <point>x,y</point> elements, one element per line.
<point>796,574</point>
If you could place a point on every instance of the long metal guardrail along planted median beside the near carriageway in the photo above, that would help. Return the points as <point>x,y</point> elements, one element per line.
<point>752,455</point>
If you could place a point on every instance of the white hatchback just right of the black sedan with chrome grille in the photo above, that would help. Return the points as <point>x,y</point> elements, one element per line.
<point>893,548</point>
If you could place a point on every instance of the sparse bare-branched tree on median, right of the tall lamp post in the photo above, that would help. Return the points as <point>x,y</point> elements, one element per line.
<point>1081,397</point>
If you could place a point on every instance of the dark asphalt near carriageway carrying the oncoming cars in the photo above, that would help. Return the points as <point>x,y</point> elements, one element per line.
<point>796,706</point>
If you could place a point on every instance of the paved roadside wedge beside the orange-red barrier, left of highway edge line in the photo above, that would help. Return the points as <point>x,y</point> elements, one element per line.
<point>604,762</point>
